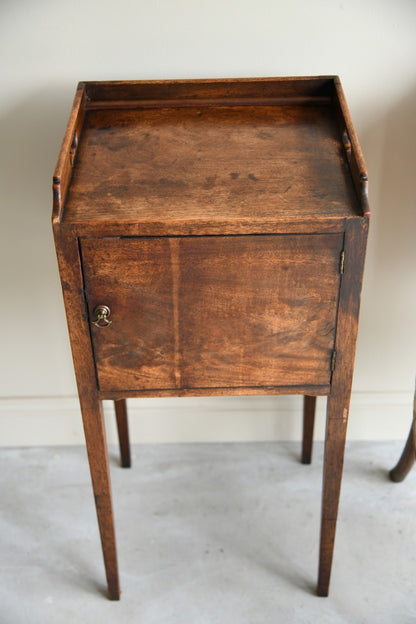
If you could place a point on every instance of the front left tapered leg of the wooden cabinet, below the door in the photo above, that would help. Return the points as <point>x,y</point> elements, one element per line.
<point>100,475</point>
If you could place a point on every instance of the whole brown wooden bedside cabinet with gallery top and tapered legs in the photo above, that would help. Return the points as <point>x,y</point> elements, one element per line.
<point>211,238</point>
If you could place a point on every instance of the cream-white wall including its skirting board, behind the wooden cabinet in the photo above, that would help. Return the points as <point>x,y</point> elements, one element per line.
<point>47,46</point>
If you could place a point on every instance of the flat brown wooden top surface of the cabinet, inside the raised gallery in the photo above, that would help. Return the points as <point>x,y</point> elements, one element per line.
<point>226,163</point>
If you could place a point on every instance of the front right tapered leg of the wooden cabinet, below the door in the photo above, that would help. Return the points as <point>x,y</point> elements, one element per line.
<point>336,429</point>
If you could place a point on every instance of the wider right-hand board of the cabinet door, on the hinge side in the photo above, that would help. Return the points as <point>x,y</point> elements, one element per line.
<point>258,310</point>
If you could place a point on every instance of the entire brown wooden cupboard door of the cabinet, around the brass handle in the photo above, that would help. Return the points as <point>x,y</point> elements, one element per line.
<point>215,311</point>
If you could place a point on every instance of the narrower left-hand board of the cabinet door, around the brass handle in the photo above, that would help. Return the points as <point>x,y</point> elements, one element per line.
<point>133,278</point>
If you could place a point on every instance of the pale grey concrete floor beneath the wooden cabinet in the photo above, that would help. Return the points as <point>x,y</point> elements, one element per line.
<point>207,533</point>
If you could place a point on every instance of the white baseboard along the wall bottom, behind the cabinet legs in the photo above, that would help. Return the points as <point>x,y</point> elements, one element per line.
<point>44,421</point>
